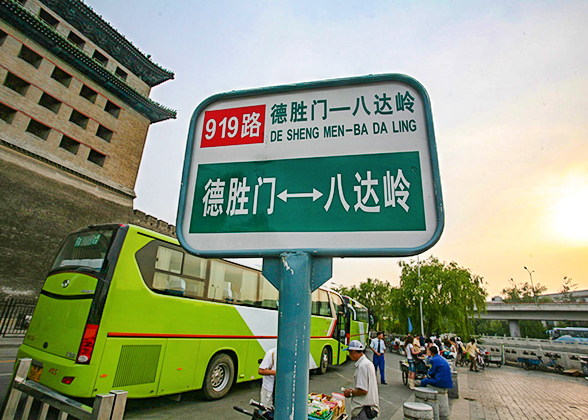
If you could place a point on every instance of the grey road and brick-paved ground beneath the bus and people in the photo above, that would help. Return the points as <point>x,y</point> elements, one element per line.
<point>494,394</point>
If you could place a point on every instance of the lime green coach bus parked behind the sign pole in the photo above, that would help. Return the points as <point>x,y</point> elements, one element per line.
<point>124,307</point>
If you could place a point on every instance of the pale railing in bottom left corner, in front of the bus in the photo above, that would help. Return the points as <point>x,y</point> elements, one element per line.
<point>23,393</point>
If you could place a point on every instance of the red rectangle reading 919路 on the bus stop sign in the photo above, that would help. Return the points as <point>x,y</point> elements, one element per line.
<point>230,127</point>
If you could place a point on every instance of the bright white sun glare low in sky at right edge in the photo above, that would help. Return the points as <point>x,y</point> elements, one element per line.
<point>571,212</point>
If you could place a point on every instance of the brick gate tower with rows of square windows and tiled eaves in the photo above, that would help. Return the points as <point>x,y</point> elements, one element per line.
<point>74,116</point>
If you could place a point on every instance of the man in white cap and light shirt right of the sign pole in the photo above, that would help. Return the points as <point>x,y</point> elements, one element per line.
<point>365,400</point>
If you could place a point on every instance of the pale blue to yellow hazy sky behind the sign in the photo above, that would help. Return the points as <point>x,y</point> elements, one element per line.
<point>508,83</point>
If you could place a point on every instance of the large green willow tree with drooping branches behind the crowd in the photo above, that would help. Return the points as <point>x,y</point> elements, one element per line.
<point>451,295</point>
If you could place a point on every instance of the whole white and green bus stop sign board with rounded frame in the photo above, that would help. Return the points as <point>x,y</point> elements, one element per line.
<point>343,167</point>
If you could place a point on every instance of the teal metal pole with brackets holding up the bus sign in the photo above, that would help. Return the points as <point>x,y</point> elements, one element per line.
<point>295,275</point>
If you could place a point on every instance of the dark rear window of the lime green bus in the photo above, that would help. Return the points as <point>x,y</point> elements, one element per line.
<point>86,249</point>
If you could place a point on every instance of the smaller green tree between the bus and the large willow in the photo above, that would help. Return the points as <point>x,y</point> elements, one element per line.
<point>376,296</point>
